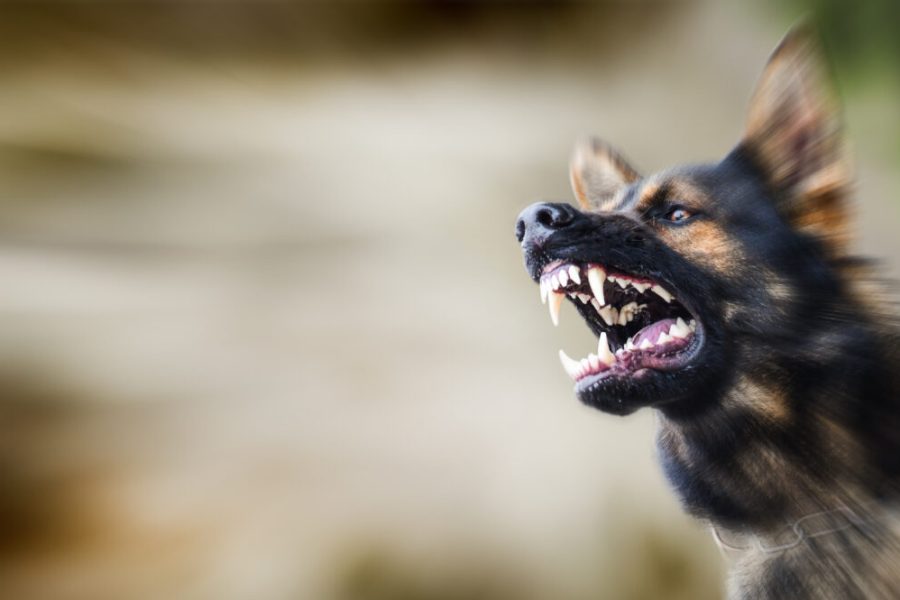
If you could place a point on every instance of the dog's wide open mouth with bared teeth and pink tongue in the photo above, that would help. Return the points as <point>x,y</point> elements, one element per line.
<point>640,324</point>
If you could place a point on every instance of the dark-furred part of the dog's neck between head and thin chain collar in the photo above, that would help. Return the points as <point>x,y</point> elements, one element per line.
<point>790,438</point>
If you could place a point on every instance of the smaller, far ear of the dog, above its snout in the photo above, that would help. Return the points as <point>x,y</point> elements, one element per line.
<point>597,172</point>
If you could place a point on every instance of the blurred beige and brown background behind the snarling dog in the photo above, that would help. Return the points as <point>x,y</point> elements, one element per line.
<point>264,328</point>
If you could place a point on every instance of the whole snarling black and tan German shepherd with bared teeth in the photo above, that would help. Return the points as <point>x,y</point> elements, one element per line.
<point>725,296</point>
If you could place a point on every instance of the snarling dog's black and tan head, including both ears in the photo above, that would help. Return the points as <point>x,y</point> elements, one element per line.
<point>698,275</point>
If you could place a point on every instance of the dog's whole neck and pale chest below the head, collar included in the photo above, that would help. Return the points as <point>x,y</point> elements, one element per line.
<point>796,472</point>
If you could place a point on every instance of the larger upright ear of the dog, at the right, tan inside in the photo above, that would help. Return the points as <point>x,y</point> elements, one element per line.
<point>794,135</point>
